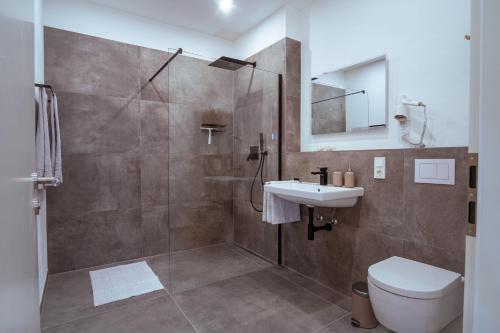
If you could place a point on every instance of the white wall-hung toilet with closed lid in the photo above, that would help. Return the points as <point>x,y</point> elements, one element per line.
<point>411,297</point>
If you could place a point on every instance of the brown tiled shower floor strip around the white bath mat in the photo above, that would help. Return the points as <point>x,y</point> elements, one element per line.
<point>69,295</point>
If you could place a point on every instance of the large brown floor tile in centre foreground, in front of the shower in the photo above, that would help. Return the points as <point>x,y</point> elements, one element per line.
<point>260,301</point>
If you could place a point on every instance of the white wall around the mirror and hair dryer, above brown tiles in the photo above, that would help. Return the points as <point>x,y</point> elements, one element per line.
<point>428,60</point>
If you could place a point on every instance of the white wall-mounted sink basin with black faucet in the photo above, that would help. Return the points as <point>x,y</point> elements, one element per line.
<point>314,194</point>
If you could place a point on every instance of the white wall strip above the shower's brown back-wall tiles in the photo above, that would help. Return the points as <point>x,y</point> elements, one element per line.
<point>91,19</point>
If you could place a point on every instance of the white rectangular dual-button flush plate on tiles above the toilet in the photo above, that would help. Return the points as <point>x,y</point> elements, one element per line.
<point>435,171</point>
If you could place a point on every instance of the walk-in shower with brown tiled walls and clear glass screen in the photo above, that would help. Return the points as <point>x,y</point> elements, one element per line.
<point>185,205</point>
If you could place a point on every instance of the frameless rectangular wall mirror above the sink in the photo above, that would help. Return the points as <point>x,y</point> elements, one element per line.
<point>350,99</point>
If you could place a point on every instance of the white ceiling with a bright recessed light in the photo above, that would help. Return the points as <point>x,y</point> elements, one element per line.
<point>204,15</point>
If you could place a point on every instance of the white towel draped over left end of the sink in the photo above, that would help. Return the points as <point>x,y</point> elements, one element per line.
<point>276,210</point>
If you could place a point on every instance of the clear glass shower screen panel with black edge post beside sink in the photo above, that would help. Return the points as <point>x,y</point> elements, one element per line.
<point>218,117</point>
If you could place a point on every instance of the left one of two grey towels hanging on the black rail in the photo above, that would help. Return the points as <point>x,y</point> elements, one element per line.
<point>42,138</point>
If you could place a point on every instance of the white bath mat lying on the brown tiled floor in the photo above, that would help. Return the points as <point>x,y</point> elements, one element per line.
<point>124,281</point>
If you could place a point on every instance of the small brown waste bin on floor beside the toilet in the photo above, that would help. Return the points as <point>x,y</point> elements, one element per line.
<point>362,312</point>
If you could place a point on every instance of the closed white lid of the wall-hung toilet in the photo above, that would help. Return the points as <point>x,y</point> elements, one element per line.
<point>413,279</point>
